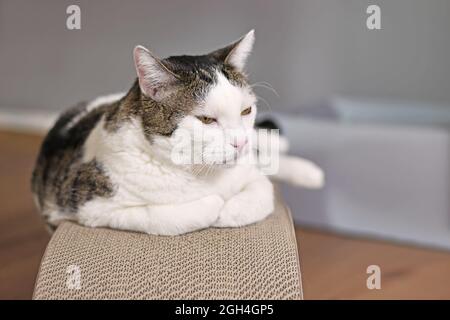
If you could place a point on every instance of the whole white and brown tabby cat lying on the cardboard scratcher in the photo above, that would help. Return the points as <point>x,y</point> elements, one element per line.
<point>109,162</point>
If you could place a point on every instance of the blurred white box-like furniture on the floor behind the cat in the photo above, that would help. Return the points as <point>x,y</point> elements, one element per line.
<point>387,169</point>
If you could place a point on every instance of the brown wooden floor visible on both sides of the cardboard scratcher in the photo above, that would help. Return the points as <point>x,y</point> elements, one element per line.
<point>333,267</point>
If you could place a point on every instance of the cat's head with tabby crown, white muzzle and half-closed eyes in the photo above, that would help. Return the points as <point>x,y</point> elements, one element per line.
<point>205,97</point>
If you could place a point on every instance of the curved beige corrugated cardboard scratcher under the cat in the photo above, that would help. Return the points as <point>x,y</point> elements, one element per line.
<point>259,261</point>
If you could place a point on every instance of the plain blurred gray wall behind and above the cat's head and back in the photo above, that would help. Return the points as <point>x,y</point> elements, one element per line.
<point>307,49</point>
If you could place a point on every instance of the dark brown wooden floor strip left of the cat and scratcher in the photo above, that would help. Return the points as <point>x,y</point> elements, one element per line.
<point>22,234</point>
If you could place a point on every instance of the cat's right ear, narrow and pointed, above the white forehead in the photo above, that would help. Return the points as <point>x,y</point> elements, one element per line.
<point>236,54</point>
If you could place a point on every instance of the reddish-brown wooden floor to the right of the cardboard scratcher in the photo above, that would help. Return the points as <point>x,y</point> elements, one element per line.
<point>334,267</point>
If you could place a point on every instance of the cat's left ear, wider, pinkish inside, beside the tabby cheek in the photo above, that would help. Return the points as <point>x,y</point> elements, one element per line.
<point>155,78</point>
